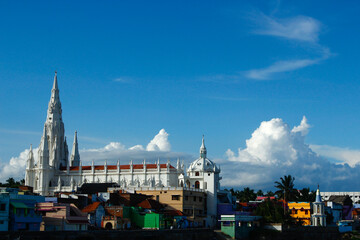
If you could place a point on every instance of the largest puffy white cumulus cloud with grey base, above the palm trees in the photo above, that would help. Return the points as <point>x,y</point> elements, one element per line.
<point>275,150</point>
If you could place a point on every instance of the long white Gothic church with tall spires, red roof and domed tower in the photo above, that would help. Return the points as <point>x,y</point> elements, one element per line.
<point>53,172</point>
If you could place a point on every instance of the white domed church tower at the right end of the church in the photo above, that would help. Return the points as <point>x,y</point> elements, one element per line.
<point>204,174</point>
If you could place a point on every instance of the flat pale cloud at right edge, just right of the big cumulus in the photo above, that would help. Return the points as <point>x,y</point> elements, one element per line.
<point>343,155</point>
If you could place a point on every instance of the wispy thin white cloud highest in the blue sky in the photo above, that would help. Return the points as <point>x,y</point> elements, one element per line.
<point>300,28</point>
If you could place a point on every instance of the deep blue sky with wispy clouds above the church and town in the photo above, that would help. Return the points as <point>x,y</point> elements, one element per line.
<point>127,70</point>
